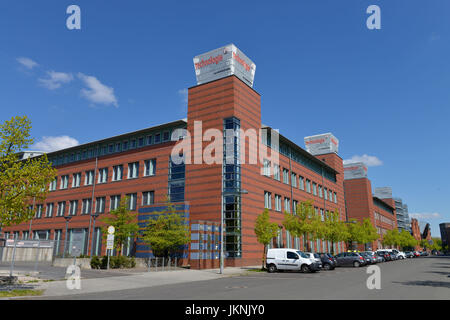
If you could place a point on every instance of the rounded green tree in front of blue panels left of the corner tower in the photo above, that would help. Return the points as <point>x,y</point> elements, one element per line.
<point>166,231</point>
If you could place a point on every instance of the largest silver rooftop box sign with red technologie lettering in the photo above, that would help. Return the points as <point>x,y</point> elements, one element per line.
<point>223,62</point>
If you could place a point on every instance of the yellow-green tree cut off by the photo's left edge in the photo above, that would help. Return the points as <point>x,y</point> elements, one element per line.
<point>22,182</point>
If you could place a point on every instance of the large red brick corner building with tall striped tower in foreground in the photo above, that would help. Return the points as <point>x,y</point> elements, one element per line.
<point>93,177</point>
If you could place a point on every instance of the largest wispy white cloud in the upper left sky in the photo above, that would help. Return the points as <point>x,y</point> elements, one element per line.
<point>97,92</point>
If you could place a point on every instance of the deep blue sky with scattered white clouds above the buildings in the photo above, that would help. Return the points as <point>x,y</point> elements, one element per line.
<point>383,93</point>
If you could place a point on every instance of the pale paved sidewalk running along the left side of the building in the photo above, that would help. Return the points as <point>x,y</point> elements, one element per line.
<point>137,280</point>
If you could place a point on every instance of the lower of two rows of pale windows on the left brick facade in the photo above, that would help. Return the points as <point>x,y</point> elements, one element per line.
<point>148,198</point>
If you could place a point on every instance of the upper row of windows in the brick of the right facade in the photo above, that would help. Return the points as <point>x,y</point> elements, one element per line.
<point>303,184</point>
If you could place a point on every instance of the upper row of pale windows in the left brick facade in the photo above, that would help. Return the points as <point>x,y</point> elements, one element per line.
<point>117,175</point>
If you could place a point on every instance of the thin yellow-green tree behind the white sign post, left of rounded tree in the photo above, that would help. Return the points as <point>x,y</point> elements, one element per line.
<point>124,223</point>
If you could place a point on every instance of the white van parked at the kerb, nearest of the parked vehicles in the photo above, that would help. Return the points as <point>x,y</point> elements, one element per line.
<point>290,259</point>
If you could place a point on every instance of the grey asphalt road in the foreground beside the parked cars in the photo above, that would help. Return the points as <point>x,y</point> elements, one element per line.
<point>419,278</point>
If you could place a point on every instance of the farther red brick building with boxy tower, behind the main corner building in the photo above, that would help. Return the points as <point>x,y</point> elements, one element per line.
<point>361,203</point>
